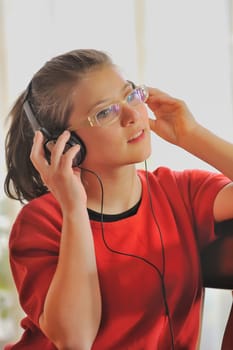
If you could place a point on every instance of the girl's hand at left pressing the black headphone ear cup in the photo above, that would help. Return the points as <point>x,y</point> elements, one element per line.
<point>59,176</point>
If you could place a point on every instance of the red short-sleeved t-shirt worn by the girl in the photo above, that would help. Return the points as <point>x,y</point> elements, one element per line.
<point>133,310</point>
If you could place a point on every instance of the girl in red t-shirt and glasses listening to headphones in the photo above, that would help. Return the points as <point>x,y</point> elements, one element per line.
<point>105,256</point>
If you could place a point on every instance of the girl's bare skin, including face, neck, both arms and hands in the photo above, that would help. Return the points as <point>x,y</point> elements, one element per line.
<point>72,309</point>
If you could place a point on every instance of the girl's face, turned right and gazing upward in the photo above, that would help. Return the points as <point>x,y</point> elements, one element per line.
<point>126,139</point>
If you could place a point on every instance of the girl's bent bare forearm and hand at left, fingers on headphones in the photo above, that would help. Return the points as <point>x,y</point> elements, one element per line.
<point>72,307</point>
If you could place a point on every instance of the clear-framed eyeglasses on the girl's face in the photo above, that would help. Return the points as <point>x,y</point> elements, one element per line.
<point>111,113</point>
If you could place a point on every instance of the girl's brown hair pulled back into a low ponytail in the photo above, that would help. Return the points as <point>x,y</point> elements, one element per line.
<point>50,96</point>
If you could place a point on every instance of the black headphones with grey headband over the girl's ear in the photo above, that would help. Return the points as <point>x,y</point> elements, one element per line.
<point>50,139</point>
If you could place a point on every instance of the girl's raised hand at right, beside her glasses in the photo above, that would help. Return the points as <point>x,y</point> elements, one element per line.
<point>173,120</point>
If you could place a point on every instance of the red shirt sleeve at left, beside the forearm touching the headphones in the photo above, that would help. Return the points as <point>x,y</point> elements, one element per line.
<point>34,247</point>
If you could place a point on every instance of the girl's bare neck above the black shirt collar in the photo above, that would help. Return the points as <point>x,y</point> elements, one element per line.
<point>121,189</point>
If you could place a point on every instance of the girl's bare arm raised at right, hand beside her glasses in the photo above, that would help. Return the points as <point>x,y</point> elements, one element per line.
<point>175,123</point>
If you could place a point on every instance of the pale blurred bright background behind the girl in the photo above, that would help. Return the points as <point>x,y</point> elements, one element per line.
<point>184,47</point>
